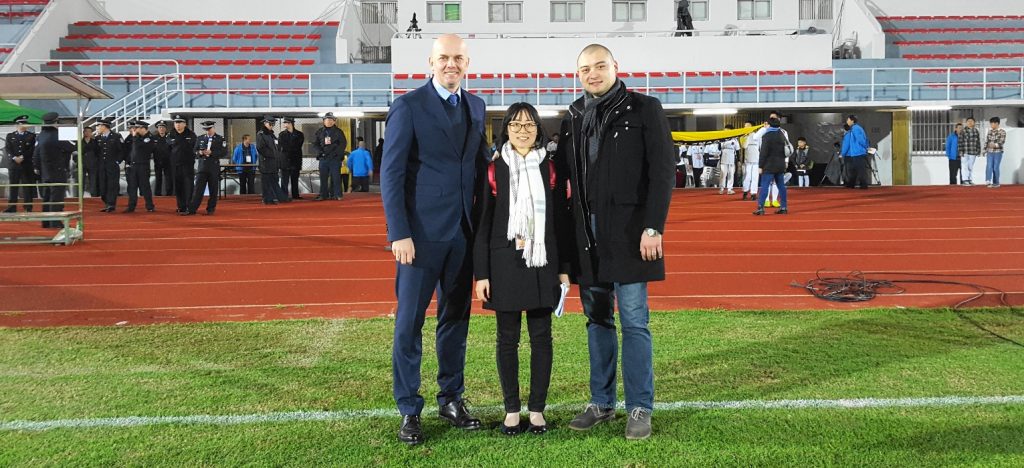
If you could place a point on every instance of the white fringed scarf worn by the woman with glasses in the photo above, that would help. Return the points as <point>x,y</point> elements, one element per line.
<point>527,204</point>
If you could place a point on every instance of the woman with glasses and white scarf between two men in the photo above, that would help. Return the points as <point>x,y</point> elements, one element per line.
<point>517,260</point>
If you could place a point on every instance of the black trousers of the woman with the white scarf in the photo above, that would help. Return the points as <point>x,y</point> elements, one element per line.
<point>509,329</point>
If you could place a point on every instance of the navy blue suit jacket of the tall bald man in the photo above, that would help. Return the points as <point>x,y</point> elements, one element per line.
<point>428,185</point>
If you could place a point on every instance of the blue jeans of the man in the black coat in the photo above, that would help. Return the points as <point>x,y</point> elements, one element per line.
<point>603,341</point>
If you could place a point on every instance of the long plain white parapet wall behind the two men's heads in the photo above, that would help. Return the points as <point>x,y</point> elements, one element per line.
<point>634,55</point>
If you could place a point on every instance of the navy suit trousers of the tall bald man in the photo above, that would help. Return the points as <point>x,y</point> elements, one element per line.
<point>447,268</point>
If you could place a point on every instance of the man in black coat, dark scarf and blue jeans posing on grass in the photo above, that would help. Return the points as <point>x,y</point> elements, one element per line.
<point>618,152</point>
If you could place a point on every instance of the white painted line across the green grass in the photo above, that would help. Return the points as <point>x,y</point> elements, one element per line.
<point>350,415</point>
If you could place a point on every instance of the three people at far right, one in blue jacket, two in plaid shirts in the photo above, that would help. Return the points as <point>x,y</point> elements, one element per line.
<point>964,148</point>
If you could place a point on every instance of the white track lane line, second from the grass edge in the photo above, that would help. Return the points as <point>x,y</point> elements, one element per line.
<point>973,273</point>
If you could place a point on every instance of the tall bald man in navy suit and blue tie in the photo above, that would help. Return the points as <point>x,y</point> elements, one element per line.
<point>433,157</point>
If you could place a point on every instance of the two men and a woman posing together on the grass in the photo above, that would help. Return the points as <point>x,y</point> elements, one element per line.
<point>593,214</point>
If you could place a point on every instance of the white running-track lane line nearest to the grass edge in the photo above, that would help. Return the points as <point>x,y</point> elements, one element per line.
<point>394,304</point>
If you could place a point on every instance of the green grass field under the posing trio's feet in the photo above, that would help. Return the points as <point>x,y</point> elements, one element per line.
<point>339,366</point>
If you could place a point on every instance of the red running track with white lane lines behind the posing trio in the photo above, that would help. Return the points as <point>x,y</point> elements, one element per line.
<point>308,260</point>
